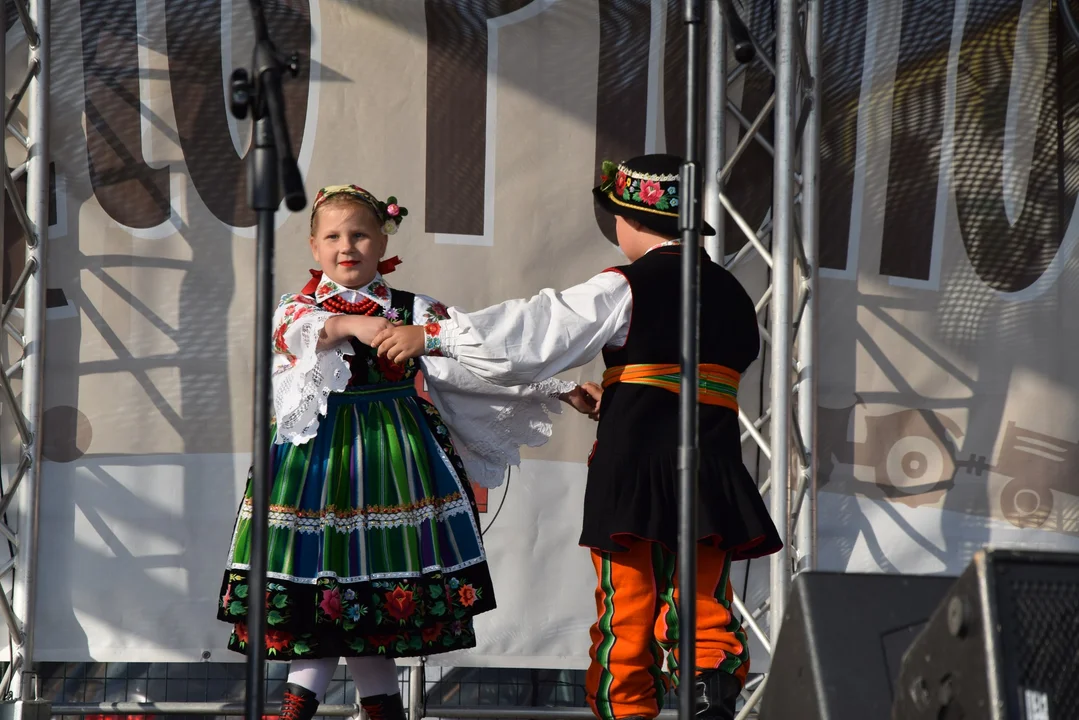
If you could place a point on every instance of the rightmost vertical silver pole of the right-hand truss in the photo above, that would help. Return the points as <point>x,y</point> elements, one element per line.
<point>807,529</point>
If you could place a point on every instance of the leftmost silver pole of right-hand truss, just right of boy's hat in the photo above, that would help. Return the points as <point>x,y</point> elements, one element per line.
<point>716,140</point>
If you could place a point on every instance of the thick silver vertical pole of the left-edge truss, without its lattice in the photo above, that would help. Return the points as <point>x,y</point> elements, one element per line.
<point>37,202</point>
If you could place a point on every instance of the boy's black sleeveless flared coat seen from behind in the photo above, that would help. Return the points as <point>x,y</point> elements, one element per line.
<point>636,456</point>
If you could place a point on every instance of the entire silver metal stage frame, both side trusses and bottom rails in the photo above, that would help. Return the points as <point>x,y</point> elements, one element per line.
<point>787,244</point>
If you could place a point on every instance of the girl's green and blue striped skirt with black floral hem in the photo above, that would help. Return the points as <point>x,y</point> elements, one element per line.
<point>374,544</point>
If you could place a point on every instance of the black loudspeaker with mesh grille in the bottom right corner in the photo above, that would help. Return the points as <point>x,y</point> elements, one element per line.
<point>1003,646</point>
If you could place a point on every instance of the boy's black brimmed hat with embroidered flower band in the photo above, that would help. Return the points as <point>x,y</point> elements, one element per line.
<point>645,189</point>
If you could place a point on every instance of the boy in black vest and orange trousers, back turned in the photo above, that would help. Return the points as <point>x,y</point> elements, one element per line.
<point>629,315</point>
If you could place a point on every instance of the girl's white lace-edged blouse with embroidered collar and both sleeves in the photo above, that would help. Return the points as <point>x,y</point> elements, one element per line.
<point>488,423</point>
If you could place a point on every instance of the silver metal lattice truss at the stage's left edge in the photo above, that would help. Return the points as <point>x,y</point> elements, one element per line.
<point>25,329</point>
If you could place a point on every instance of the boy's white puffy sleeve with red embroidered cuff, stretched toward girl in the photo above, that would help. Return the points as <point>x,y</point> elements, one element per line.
<point>525,342</point>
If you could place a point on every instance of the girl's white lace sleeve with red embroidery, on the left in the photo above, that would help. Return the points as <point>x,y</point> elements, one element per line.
<point>304,377</point>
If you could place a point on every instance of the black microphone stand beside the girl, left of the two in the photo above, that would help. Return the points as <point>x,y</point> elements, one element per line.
<point>271,172</point>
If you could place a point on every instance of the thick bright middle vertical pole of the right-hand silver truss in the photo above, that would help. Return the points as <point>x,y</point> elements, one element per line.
<point>783,307</point>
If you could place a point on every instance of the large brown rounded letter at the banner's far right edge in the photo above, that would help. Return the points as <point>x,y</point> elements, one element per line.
<point>1015,144</point>
